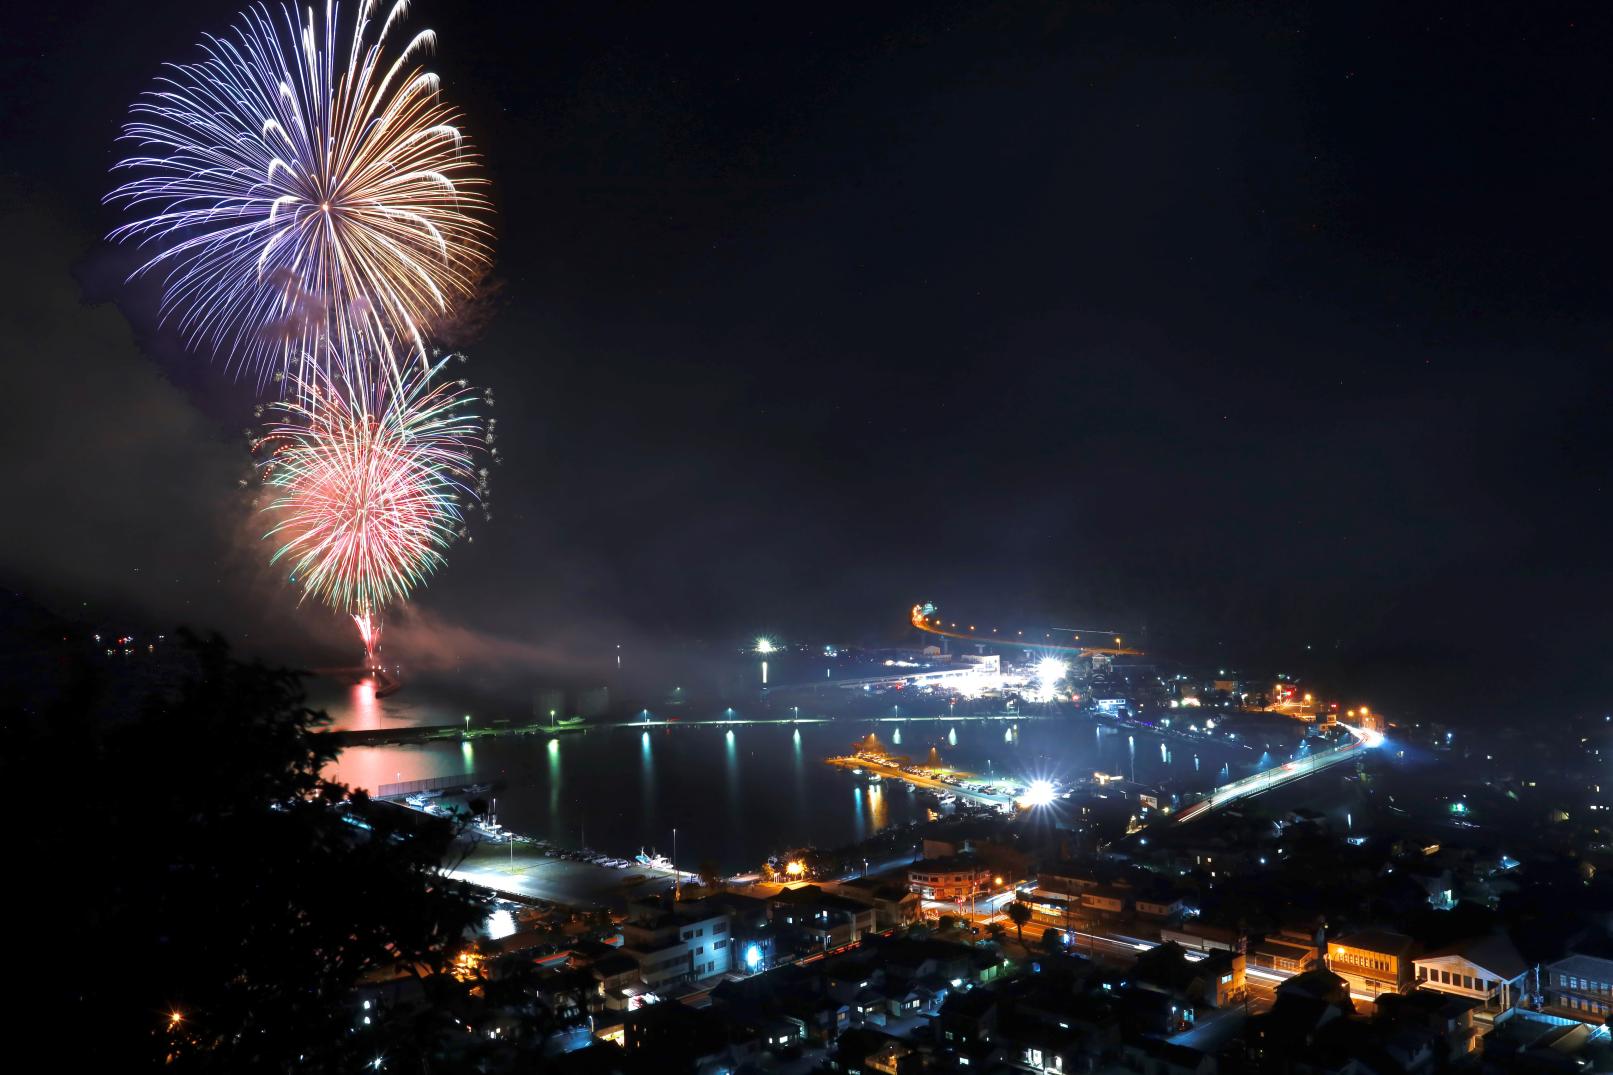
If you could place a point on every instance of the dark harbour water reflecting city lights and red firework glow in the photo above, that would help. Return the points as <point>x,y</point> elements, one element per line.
<point>744,792</point>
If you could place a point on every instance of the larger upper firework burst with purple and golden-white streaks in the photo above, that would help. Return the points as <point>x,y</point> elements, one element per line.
<point>296,191</point>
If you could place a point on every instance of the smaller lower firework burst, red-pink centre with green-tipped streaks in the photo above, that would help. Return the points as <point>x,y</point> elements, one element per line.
<point>372,483</point>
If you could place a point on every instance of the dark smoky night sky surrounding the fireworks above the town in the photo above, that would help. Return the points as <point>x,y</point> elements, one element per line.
<point>1251,327</point>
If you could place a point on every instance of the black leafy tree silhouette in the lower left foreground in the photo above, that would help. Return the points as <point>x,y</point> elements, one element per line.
<point>204,848</point>
